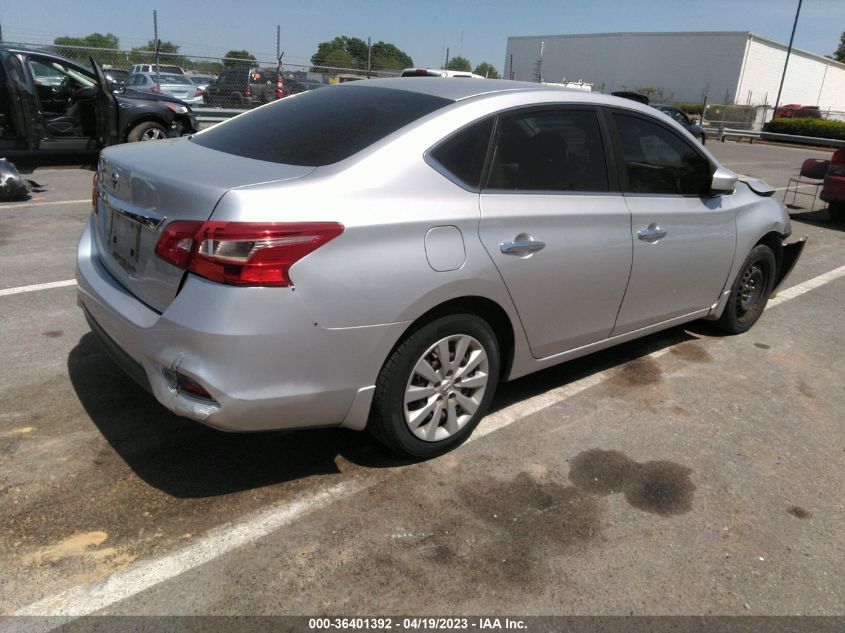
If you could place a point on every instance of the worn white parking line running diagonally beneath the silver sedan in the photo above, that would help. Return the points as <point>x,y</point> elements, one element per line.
<point>137,577</point>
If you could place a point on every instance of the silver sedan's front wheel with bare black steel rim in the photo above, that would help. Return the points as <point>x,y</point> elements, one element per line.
<point>750,291</point>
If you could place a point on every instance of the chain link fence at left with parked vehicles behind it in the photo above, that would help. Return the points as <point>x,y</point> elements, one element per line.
<point>199,80</point>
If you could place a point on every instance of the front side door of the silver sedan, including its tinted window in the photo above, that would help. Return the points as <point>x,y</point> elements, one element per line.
<point>683,239</point>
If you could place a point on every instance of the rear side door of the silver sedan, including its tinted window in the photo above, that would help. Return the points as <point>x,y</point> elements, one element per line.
<point>558,232</point>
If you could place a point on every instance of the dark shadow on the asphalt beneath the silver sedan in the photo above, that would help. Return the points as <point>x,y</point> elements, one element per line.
<point>186,459</point>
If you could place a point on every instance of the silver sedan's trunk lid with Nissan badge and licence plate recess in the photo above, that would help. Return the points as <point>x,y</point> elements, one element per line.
<point>144,186</point>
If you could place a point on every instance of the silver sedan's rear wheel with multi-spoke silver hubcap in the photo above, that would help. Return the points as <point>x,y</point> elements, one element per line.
<point>443,416</point>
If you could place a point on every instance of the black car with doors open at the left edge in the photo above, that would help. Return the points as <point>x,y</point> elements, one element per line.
<point>50,103</point>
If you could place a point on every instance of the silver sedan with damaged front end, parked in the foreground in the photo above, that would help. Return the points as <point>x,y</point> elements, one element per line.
<point>381,254</point>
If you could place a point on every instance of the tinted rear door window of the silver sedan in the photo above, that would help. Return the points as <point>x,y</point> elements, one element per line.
<point>549,150</point>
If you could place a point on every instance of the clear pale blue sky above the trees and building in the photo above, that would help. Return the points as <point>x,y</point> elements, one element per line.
<point>475,29</point>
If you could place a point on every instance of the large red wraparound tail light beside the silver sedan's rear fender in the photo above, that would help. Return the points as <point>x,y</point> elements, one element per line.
<point>242,253</point>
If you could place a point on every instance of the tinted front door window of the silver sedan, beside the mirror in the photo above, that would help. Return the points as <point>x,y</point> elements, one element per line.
<point>657,160</point>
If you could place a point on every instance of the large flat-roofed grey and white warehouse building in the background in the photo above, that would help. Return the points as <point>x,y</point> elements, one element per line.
<point>730,66</point>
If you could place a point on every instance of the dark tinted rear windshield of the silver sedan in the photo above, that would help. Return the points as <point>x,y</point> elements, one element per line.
<point>319,127</point>
